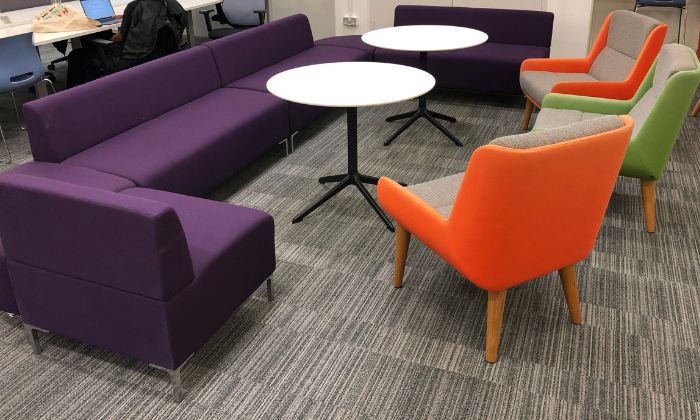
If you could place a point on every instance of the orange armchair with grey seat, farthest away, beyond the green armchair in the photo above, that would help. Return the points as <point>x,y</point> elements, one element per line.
<point>620,58</point>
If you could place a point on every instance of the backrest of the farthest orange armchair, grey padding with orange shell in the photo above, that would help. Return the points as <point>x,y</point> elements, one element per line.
<point>625,41</point>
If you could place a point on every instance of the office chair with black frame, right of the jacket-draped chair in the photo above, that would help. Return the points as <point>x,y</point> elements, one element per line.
<point>238,14</point>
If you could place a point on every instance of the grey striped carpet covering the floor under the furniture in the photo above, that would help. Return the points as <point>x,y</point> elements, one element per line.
<point>340,342</point>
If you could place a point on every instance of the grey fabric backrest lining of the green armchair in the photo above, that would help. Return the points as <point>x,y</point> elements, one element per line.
<point>672,59</point>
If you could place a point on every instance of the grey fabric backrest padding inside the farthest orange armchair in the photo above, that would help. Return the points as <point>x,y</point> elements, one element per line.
<point>626,37</point>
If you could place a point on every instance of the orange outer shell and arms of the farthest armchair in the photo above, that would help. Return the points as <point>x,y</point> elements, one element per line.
<point>612,90</point>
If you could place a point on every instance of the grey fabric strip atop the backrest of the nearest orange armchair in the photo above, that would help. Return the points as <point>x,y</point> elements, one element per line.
<point>560,134</point>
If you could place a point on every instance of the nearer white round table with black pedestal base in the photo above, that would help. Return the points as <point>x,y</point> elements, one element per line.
<point>350,85</point>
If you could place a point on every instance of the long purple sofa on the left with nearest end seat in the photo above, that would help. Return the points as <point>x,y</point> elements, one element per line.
<point>102,240</point>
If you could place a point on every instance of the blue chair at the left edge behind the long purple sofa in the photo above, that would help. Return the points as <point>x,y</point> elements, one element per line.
<point>20,68</point>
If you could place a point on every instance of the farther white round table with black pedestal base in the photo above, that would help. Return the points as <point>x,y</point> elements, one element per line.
<point>424,39</point>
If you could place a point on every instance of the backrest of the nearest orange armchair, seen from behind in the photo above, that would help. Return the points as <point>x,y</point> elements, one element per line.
<point>533,203</point>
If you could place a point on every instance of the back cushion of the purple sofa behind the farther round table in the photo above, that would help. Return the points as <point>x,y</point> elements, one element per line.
<point>503,26</point>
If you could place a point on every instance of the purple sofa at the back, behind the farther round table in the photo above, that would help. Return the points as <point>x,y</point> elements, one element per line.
<point>514,35</point>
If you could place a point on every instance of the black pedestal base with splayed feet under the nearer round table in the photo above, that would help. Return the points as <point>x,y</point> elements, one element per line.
<point>353,177</point>
